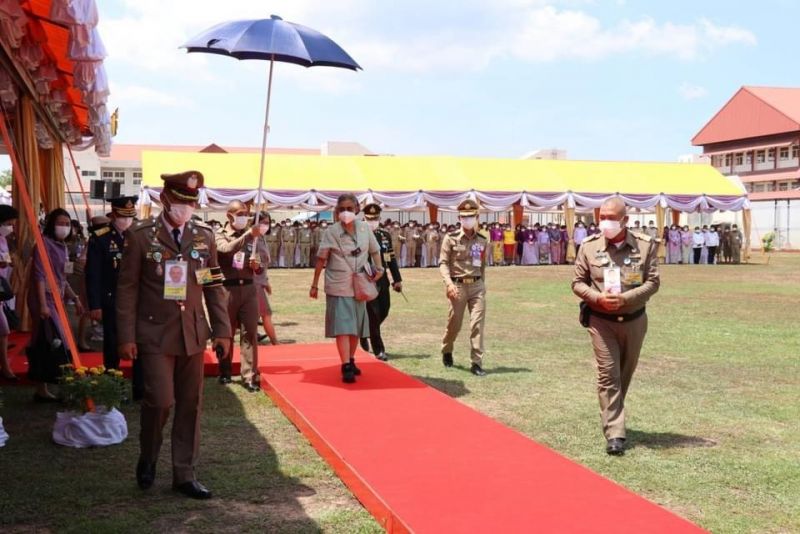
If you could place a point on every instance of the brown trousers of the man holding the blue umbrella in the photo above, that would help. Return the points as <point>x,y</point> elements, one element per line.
<point>243,312</point>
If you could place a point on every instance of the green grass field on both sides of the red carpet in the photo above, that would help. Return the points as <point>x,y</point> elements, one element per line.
<point>712,414</point>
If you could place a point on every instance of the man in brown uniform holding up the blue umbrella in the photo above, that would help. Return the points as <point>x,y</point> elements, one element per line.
<point>239,265</point>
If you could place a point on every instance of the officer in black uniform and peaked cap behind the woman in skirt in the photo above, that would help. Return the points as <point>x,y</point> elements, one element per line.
<point>378,309</point>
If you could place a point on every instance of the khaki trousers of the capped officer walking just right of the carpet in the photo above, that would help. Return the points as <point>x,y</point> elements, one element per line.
<point>472,297</point>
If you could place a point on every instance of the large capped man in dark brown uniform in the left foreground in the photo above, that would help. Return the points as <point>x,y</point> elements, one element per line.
<point>167,329</point>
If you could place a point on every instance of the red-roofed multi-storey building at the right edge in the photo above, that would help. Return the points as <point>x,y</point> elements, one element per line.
<point>756,136</point>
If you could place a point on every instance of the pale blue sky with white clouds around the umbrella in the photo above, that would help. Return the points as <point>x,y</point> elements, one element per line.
<point>604,79</point>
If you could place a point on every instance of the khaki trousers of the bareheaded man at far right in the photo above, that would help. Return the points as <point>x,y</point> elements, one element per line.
<point>616,352</point>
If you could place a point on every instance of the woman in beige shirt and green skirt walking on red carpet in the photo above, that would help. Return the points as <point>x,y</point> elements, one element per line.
<point>343,250</point>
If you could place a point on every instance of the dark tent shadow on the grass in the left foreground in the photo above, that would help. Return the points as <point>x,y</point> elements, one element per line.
<point>245,476</point>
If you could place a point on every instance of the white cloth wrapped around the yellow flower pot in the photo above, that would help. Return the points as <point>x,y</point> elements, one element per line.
<point>92,429</point>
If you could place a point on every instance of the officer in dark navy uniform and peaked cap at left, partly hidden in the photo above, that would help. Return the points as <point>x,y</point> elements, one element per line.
<point>103,259</point>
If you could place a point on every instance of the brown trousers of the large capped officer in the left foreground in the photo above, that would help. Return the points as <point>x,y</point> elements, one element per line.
<point>168,380</point>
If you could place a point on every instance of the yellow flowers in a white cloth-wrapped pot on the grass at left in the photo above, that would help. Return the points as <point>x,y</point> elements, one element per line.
<point>93,395</point>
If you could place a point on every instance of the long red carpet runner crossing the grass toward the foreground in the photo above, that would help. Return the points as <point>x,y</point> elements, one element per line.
<point>421,461</point>
